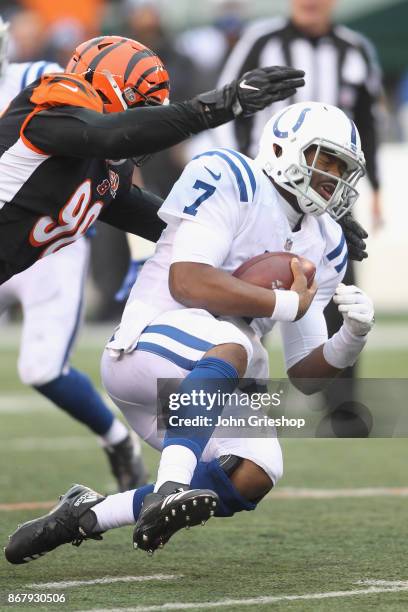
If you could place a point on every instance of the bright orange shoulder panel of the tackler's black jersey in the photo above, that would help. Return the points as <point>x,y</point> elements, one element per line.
<point>66,89</point>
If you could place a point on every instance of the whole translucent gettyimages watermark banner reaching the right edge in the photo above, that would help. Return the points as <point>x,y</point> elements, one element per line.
<point>358,408</point>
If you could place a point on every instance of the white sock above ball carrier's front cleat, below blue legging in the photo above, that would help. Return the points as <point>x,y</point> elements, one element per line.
<point>177,463</point>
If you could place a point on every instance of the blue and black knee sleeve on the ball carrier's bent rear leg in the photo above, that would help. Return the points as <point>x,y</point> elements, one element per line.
<point>215,475</point>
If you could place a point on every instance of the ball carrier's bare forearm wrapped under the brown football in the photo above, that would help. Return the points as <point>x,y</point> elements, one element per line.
<point>202,286</point>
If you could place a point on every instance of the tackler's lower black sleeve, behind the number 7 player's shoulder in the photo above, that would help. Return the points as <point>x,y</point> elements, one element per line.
<point>135,212</point>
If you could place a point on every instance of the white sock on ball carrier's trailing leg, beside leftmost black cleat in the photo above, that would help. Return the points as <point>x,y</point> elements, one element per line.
<point>115,511</point>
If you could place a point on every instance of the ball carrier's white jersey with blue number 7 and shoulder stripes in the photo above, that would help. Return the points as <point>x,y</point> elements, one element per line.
<point>222,211</point>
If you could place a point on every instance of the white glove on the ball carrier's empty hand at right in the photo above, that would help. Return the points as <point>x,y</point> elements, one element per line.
<point>356,307</point>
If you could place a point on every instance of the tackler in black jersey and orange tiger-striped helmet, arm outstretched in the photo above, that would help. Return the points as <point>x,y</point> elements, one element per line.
<point>65,142</point>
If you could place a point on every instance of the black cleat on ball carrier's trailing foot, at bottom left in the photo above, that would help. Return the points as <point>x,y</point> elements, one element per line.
<point>72,520</point>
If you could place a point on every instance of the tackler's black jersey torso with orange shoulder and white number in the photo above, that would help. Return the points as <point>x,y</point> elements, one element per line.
<point>46,201</point>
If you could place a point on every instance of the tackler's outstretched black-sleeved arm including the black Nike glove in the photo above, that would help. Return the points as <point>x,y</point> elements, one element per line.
<point>81,132</point>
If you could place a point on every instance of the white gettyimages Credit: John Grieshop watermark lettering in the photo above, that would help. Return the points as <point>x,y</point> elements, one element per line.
<point>240,412</point>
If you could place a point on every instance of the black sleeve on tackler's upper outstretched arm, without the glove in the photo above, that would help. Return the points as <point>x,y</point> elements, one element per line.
<point>78,132</point>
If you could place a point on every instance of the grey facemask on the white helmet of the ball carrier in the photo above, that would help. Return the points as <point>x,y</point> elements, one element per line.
<point>300,179</point>
